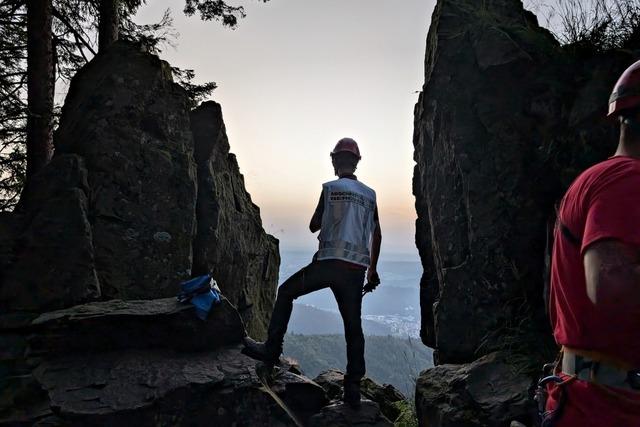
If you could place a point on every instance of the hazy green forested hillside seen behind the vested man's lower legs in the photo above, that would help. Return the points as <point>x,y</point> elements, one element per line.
<point>389,359</point>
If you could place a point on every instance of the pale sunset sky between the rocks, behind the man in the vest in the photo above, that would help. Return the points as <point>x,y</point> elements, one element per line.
<point>297,75</point>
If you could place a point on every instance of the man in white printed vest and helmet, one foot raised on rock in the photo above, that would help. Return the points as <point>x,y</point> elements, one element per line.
<point>350,237</point>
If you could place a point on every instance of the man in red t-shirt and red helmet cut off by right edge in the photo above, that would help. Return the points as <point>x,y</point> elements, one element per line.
<point>595,282</point>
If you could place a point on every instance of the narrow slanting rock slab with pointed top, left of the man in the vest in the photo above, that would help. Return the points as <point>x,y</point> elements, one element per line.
<point>230,242</point>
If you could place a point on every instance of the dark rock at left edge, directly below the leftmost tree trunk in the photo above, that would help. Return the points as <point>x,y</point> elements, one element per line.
<point>50,260</point>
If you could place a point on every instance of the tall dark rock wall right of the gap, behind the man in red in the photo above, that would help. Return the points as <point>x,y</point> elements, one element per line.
<point>506,119</point>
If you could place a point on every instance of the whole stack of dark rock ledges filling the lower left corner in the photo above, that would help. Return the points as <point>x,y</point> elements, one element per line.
<point>154,363</point>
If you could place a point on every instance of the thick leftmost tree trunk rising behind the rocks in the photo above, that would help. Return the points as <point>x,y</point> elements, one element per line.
<point>40,85</point>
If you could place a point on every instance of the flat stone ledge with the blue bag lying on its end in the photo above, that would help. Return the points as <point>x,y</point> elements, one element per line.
<point>114,325</point>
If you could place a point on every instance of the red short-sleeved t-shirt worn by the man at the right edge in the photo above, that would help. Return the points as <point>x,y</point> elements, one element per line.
<point>602,203</point>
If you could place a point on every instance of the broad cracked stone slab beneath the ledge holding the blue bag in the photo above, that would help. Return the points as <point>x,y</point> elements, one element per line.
<point>166,388</point>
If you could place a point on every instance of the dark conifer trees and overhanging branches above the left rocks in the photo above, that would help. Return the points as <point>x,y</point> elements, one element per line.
<point>42,45</point>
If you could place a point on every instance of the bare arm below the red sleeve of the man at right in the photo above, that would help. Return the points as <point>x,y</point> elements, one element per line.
<point>612,272</point>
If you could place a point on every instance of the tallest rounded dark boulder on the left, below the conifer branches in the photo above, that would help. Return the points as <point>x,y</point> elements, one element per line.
<point>130,123</point>
